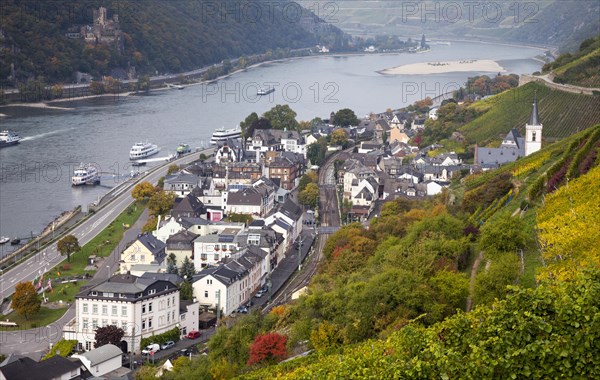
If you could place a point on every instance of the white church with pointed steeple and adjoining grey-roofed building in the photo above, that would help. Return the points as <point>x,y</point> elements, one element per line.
<point>514,145</point>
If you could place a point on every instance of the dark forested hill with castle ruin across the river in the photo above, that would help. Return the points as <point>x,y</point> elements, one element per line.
<point>154,35</point>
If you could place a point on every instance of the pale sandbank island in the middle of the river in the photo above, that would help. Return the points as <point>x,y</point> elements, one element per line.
<point>473,65</point>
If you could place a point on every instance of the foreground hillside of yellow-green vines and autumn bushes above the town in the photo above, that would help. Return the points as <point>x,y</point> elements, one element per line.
<point>388,302</point>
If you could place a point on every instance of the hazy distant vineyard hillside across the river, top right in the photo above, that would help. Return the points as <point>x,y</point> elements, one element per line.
<point>557,23</point>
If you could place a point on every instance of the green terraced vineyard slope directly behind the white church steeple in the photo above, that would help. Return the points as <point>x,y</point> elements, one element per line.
<point>561,113</point>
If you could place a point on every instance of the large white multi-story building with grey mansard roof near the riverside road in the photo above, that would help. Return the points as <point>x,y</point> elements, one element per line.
<point>141,306</point>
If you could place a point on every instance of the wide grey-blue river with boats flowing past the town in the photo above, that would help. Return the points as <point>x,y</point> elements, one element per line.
<point>35,175</point>
